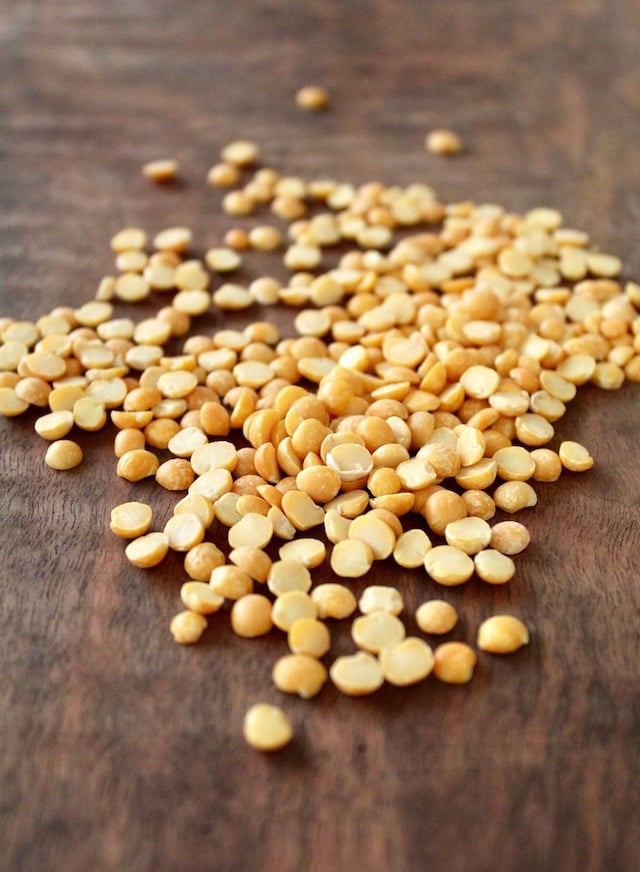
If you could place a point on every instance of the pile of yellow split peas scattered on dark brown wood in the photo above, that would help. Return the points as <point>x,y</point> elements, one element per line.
<point>417,396</point>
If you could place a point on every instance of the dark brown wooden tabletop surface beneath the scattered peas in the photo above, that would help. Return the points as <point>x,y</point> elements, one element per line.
<point>122,751</point>
